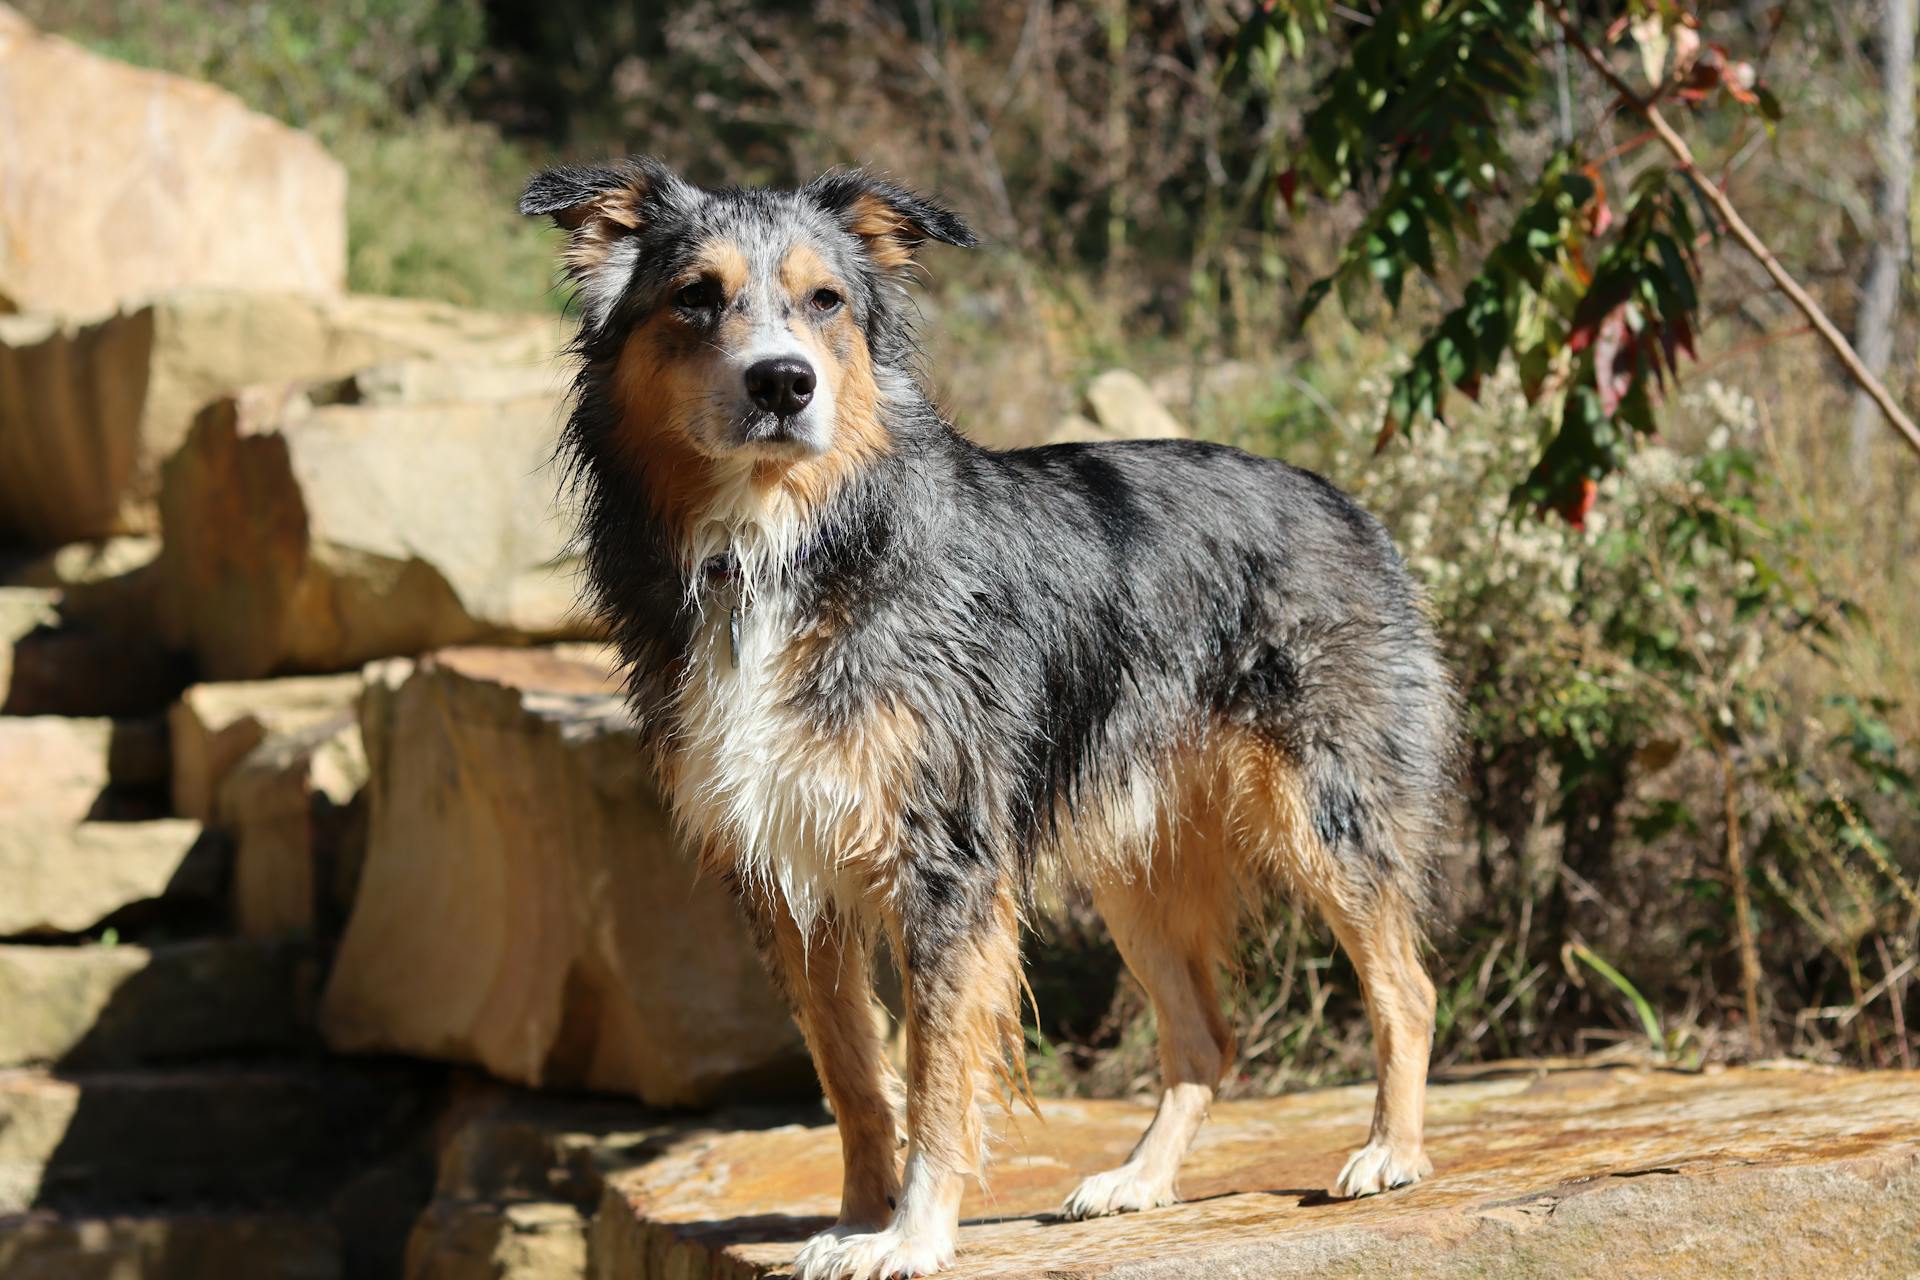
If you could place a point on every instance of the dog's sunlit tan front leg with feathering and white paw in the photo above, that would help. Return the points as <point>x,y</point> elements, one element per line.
<point>963,1022</point>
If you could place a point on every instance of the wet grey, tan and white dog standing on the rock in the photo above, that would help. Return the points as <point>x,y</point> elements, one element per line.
<point>892,678</point>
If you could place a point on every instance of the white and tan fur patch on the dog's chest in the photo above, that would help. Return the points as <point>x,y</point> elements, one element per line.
<point>752,769</point>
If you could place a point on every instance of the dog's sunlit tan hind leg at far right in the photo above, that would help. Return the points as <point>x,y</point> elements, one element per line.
<point>1381,939</point>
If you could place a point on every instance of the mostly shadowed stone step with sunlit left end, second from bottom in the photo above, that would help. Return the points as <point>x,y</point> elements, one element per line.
<point>231,1137</point>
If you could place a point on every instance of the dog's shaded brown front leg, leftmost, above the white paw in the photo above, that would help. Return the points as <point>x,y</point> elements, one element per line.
<point>830,985</point>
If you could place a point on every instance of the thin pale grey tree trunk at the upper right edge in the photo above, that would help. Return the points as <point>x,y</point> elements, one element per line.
<point>1881,296</point>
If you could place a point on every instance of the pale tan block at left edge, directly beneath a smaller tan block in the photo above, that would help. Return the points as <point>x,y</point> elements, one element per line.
<point>70,880</point>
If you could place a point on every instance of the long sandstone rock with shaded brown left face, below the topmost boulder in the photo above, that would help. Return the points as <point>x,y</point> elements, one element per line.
<point>91,410</point>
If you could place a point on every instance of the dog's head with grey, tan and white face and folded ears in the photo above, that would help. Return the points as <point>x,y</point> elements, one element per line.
<point>748,327</point>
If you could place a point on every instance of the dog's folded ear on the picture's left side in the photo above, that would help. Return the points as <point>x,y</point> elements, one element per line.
<point>604,208</point>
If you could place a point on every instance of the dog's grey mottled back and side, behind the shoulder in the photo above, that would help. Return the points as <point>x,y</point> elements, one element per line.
<point>1155,600</point>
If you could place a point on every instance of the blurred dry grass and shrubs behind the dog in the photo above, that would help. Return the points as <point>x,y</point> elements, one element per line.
<point>1714,686</point>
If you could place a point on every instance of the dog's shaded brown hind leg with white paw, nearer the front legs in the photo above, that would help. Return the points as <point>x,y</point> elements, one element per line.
<point>1172,936</point>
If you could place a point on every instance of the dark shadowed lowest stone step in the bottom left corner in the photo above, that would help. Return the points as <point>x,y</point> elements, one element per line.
<point>170,1246</point>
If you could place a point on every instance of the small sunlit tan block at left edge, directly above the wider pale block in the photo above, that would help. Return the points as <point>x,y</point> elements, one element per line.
<point>62,770</point>
